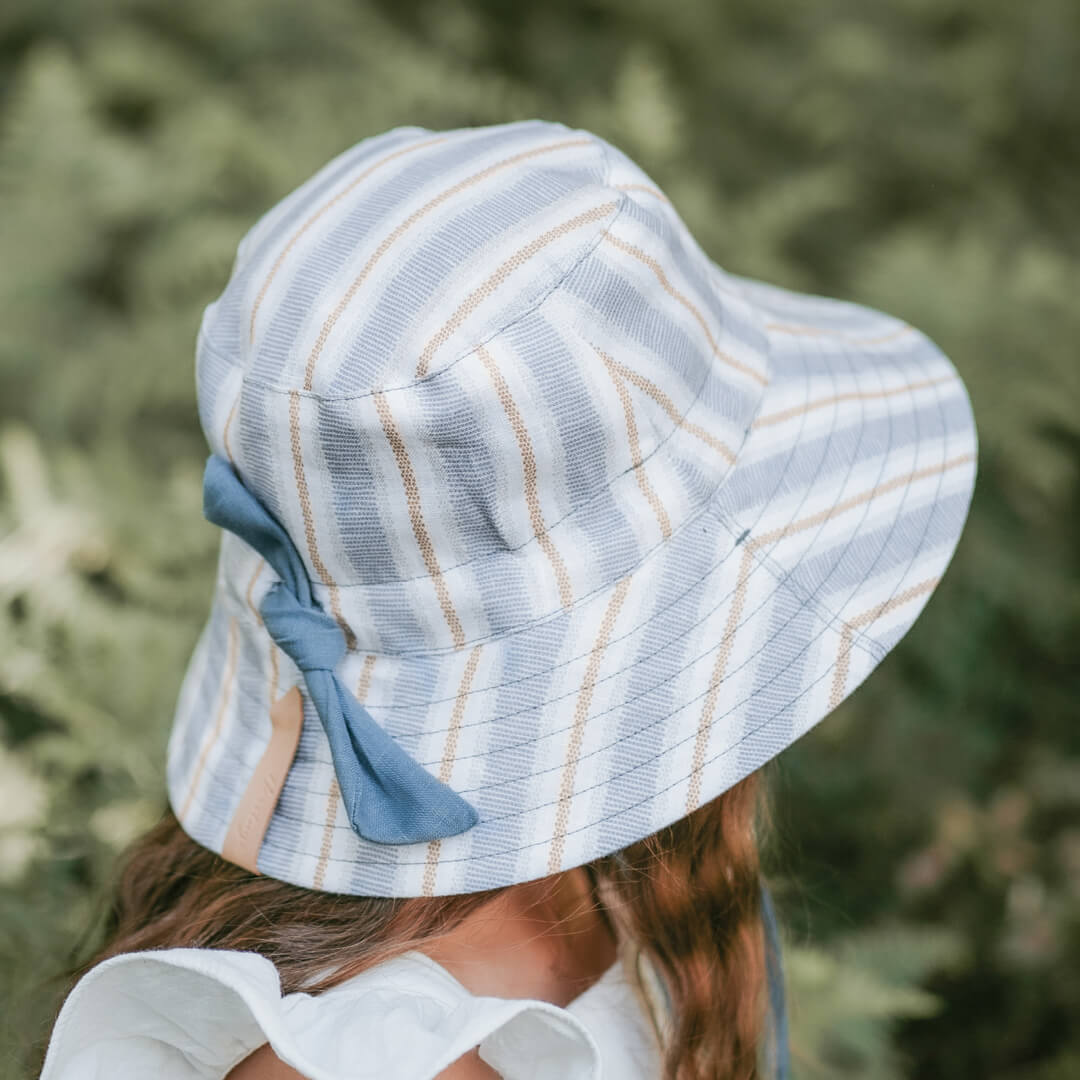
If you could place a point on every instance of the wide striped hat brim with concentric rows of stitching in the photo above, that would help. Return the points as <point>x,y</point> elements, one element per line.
<point>582,734</point>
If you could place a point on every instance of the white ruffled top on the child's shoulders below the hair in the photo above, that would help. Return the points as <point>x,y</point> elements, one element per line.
<point>194,1015</point>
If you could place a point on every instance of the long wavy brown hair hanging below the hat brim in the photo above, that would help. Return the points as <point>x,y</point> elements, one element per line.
<point>688,897</point>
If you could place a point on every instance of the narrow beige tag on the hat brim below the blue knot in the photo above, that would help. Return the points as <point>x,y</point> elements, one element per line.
<point>250,822</point>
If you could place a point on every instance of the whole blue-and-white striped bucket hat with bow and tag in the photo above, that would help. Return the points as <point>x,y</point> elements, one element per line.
<point>539,529</point>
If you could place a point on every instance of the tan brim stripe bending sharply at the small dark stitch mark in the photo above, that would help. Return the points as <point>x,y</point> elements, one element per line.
<point>739,600</point>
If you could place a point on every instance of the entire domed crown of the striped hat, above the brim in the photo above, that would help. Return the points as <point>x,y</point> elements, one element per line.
<point>467,367</point>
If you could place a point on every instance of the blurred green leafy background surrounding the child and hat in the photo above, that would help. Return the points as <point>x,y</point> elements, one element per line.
<point>920,156</point>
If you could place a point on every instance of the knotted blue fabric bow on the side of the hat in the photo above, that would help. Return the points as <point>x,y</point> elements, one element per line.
<point>390,798</point>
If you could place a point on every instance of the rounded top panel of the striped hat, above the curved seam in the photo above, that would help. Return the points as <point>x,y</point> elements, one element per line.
<point>364,278</point>
